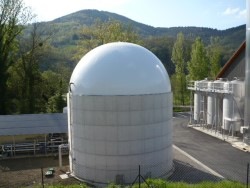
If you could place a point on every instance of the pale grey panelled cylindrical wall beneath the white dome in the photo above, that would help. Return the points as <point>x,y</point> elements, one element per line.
<point>114,134</point>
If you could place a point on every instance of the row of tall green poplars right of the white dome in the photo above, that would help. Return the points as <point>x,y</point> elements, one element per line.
<point>203,62</point>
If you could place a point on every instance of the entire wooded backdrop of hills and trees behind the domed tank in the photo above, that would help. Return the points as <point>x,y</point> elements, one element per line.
<point>39,62</point>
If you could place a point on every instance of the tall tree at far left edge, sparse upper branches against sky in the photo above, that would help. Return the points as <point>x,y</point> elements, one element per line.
<point>13,16</point>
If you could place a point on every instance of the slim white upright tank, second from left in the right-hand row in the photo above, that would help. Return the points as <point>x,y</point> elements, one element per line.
<point>210,103</point>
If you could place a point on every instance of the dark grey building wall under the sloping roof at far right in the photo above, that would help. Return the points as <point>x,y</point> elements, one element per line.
<point>236,69</point>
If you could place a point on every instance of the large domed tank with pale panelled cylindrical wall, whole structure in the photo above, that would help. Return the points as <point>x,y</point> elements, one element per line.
<point>120,104</point>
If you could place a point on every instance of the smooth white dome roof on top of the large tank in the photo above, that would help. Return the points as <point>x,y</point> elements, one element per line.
<point>119,69</point>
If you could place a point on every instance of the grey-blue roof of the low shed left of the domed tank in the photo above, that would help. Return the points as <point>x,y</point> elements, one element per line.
<point>27,124</point>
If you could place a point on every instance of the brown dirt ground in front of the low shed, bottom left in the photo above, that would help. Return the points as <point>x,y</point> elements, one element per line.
<point>27,172</point>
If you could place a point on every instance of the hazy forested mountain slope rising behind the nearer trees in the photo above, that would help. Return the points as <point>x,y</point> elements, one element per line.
<point>66,32</point>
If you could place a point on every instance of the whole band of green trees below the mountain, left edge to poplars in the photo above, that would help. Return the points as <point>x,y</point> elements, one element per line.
<point>34,74</point>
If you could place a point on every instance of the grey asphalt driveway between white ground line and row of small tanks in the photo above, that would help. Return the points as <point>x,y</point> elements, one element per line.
<point>218,155</point>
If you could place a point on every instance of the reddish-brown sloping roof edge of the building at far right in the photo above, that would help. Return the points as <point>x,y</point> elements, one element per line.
<point>232,60</point>
